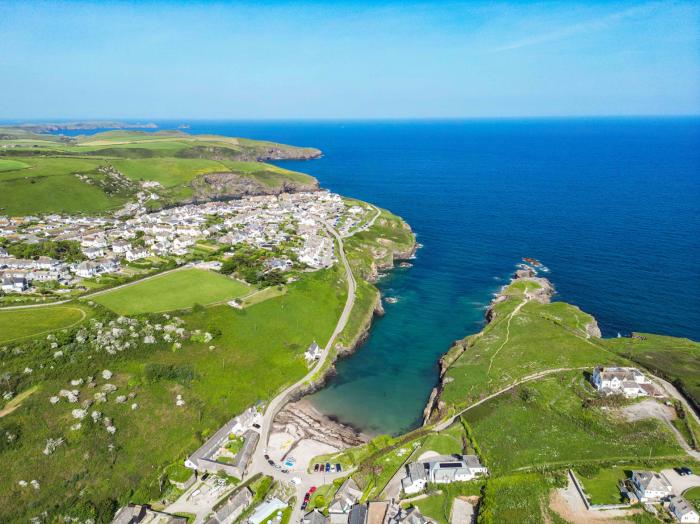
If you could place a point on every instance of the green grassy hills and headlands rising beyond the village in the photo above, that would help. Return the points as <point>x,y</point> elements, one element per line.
<point>43,174</point>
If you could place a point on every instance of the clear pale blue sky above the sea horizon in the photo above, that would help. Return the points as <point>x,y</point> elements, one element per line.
<point>310,59</point>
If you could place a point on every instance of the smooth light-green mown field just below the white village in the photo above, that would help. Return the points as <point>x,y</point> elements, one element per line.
<point>175,290</point>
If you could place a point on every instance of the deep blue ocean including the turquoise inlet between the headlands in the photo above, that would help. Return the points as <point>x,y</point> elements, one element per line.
<point>611,206</point>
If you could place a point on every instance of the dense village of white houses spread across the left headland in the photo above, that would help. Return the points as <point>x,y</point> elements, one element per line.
<point>293,220</point>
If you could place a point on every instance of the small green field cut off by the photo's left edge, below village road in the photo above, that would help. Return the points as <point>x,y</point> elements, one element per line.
<point>20,323</point>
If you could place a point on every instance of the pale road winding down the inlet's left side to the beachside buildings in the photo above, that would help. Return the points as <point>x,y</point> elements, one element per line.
<point>258,463</point>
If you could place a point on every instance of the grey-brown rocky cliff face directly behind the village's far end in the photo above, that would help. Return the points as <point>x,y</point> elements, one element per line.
<point>220,186</point>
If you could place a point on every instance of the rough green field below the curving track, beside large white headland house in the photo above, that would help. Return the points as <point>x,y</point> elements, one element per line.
<point>548,426</point>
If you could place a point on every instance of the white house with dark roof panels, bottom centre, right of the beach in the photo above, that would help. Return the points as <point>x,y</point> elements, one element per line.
<point>442,469</point>
